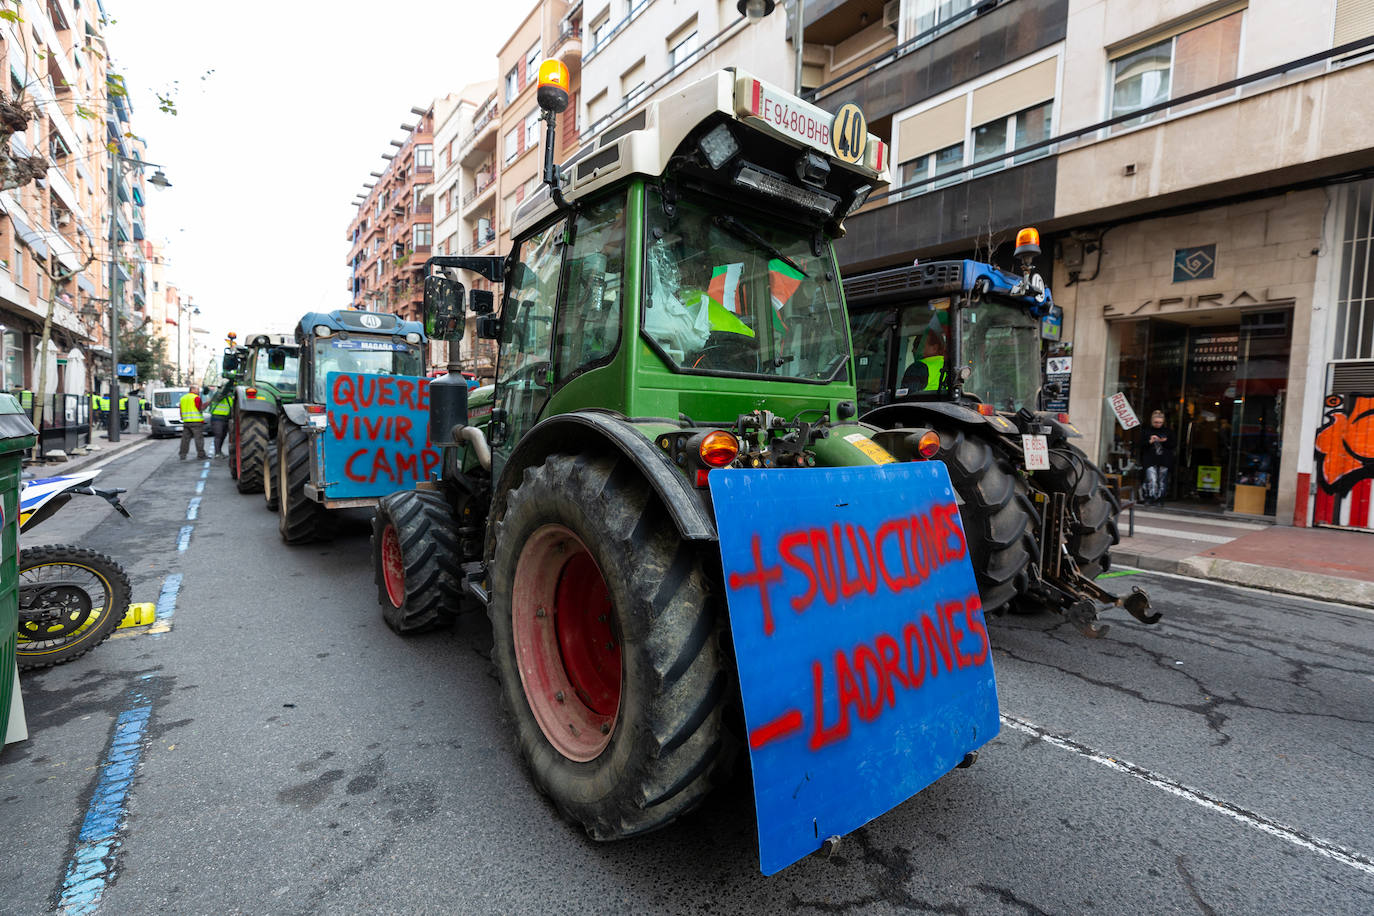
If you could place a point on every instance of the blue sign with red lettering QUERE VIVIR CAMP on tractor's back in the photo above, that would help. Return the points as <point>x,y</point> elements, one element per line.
<point>376,439</point>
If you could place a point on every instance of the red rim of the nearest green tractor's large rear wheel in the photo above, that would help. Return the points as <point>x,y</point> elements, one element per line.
<point>567,646</point>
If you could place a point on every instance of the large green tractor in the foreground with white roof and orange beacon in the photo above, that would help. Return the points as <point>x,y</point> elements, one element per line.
<point>671,310</point>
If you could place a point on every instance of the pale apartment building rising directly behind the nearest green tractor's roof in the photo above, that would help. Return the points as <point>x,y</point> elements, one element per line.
<point>637,50</point>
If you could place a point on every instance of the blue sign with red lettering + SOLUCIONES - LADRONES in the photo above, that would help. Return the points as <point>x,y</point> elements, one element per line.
<point>864,657</point>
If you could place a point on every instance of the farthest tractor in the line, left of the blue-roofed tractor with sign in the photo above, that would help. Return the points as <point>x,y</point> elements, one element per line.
<point>266,381</point>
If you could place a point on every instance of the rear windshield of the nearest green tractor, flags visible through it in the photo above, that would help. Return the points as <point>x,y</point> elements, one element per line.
<point>733,296</point>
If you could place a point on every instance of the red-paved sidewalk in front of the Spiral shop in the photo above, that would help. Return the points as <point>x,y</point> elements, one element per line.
<point>1311,562</point>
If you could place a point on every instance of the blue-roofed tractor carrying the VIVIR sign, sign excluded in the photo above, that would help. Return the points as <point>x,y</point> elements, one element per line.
<point>372,344</point>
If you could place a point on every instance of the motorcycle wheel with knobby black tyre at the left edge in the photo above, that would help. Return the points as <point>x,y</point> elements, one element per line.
<point>71,601</point>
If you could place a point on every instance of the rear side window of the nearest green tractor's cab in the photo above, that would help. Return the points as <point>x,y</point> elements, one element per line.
<point>589,321</point>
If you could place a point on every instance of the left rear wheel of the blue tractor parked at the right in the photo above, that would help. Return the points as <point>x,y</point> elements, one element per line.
<point>1000,520</point>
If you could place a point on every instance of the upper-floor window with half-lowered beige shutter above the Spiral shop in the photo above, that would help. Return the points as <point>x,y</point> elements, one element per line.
<point>1188,61</point>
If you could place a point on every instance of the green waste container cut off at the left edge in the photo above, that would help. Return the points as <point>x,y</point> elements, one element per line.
<point>17,437</point>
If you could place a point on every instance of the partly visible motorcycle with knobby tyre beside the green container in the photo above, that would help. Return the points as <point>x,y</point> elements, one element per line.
<point>71,598</point>
